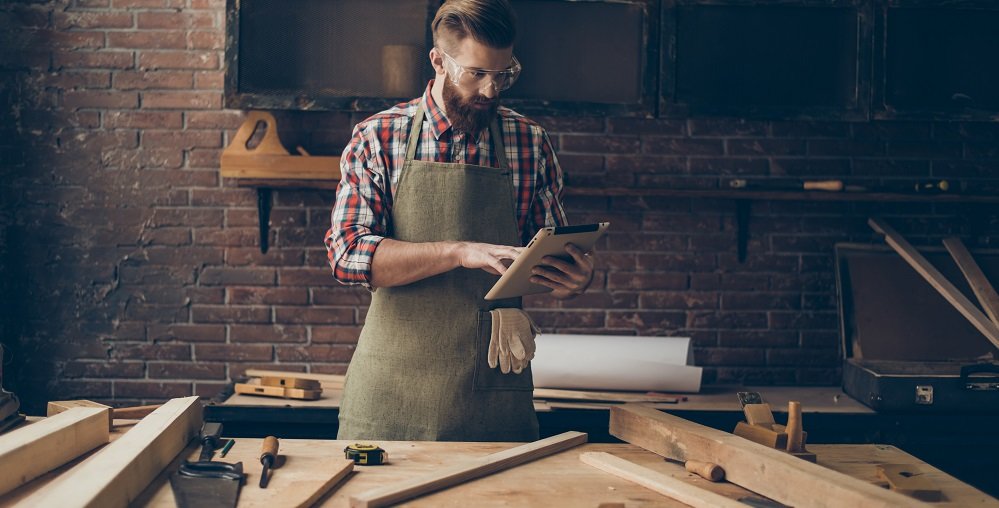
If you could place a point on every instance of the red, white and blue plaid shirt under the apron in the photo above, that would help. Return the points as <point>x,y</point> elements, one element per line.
<point>372,163</point>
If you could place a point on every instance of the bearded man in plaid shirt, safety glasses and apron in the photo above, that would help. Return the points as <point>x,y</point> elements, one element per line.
<point>436,196</point>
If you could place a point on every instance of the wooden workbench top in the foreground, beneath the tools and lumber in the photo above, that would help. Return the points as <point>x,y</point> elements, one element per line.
<point>558,480</point>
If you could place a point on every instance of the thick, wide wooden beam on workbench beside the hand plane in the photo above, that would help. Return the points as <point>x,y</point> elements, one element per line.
<point>769,472</point>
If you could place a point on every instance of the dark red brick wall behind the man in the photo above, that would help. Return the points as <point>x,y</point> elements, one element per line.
<point>131,272</point>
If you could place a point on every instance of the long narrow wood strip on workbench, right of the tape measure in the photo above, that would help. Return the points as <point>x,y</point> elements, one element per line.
<point>467,470</point>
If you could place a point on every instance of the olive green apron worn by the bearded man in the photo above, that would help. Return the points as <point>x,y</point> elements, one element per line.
<point>419,371</point>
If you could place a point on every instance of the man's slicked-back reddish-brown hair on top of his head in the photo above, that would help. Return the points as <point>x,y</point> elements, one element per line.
<point>489,22</point>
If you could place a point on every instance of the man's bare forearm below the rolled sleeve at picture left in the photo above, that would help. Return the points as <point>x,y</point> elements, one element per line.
<point>397,263</point>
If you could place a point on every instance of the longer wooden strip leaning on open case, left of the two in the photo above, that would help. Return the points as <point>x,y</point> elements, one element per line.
<point>937,280</point>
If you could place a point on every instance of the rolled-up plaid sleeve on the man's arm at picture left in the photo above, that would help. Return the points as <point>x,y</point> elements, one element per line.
<point>358,222</point>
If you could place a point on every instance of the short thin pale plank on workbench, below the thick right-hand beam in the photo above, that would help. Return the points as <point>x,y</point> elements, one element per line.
<point>661,483</point>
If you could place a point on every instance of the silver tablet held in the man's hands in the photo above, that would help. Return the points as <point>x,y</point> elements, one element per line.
<point>549,241</point>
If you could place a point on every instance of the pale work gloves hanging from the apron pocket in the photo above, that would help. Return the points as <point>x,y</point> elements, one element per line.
<point>511,343</point>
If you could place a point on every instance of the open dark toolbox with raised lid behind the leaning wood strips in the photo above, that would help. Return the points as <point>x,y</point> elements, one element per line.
<point>905,348</point>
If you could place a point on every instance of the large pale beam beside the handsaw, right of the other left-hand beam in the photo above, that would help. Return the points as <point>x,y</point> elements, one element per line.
<point>116,475</point>
